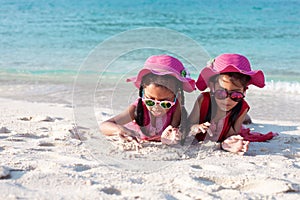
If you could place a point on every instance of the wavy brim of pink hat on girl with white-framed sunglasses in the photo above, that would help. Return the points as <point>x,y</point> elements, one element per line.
<point>188,84</point>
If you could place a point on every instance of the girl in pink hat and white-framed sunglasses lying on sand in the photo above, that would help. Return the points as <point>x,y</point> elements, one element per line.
<point>158,112</point>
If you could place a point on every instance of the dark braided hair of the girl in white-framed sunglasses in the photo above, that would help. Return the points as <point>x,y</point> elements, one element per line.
<point>161,81</point>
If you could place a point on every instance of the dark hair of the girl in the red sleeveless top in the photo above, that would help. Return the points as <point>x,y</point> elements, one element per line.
<point>237,79</point>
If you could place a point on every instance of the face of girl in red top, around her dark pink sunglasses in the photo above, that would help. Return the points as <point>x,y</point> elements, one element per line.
<point>224,82</point>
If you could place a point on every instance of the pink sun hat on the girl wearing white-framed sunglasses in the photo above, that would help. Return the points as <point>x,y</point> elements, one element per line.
<point>165,65</point>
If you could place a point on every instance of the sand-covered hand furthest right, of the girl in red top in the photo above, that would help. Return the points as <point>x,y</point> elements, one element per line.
<point>235,144</point>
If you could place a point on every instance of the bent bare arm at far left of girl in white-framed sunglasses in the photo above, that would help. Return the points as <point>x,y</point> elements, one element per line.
<point>114,125</point>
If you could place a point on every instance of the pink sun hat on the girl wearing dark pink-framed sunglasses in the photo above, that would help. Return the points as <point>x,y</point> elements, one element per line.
<point>230,63</point>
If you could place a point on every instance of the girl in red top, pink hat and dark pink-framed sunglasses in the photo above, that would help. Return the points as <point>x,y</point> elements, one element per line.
<point>218,114</point>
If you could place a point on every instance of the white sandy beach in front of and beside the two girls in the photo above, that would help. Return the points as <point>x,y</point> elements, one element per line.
<point>42,159</point>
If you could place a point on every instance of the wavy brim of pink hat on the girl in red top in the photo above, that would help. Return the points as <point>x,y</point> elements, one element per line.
<point>257,76</point>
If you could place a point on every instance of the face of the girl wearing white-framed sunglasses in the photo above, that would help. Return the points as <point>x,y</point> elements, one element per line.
<point>158,93</point>
